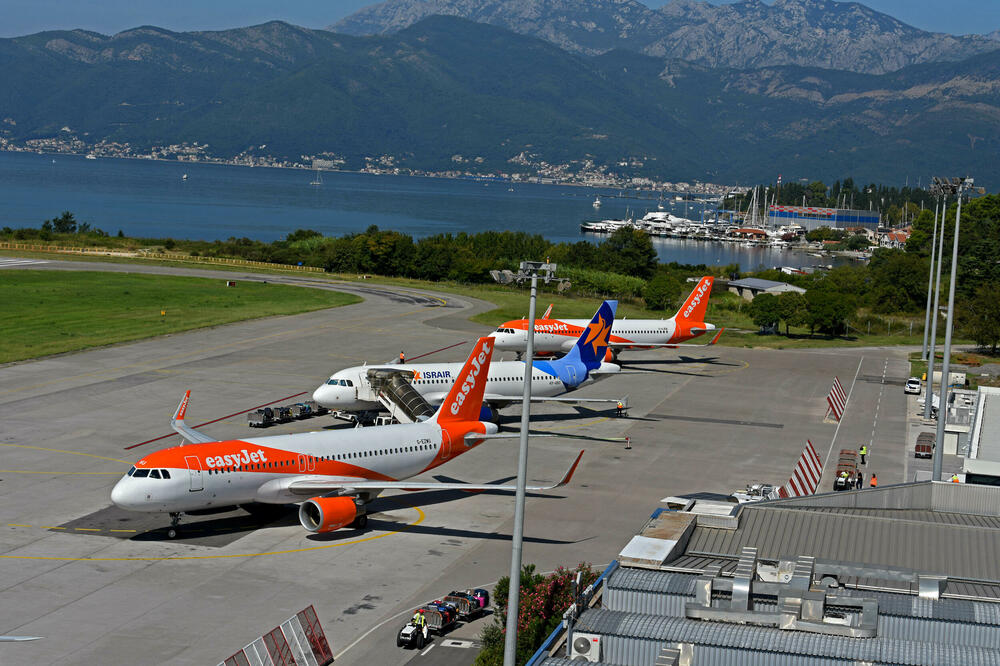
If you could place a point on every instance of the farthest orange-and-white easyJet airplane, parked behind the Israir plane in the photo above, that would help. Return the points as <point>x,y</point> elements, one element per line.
<point>555,335</point>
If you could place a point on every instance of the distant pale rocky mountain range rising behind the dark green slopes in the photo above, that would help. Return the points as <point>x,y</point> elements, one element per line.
<point>747,34</point>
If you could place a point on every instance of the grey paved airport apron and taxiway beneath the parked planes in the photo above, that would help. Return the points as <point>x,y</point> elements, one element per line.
<point>73,571</point>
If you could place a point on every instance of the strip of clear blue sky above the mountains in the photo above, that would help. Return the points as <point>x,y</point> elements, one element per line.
<point>22,17</point>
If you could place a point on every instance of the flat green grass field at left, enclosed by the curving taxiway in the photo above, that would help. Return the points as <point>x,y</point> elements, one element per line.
<point>48,312</point>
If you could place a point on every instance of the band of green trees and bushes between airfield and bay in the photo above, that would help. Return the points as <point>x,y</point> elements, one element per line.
<point>894,282</point>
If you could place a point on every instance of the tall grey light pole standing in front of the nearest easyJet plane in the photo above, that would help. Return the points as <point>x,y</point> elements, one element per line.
<point>528,270</point>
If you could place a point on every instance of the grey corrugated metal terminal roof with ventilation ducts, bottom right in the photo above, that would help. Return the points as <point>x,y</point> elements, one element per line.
<point>904,574</point>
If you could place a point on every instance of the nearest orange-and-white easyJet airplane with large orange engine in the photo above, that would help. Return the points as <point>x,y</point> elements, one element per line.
<point>341,471</point>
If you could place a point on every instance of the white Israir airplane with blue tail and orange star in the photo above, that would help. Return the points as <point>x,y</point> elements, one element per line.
<point>360,388</point>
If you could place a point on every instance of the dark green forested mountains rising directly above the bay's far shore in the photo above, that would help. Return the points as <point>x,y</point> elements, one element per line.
<point>450,93</point>
